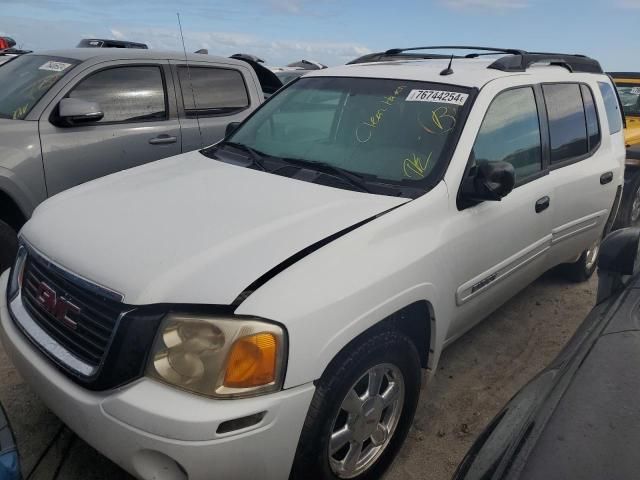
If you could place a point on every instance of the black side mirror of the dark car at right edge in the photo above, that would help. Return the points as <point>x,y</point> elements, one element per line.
<point>618,261</point>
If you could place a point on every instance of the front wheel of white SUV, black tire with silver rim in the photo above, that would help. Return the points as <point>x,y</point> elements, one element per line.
<point>389,353</point>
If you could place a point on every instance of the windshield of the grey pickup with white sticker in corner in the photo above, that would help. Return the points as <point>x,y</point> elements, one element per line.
<point>26,79</point>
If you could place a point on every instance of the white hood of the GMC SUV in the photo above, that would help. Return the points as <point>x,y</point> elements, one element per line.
<point>189,229</point>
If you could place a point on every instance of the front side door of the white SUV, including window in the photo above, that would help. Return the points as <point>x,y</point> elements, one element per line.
<point>499,247</point>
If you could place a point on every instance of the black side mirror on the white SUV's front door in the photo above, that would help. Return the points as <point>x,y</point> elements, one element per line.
<point>488,181</point>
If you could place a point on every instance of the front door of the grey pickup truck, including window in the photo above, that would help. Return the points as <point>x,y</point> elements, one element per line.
<point>140,123</point>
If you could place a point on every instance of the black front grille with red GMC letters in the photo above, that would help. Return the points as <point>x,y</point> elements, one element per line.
<point>85,330</point>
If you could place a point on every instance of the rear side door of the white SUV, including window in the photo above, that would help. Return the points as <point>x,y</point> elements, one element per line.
<point>584,170</point>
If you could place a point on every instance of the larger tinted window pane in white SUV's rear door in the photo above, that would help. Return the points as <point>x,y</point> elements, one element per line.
<point>567,125</point>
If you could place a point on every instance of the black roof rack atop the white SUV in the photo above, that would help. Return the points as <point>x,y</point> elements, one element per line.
<point>517,60</point>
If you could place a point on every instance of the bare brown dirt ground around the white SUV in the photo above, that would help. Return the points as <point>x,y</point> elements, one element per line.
<point>476,376</point>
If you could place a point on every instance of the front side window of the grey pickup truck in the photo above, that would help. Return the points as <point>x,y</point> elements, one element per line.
<point>125,94</point>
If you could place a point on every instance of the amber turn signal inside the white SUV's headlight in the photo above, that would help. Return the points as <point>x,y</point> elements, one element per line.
<point>252,361</point>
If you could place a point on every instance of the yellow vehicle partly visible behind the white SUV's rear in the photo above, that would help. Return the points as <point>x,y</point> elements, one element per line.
<point>628,85</point>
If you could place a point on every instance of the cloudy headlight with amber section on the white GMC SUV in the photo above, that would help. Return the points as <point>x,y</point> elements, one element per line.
<point>219,356</point>
